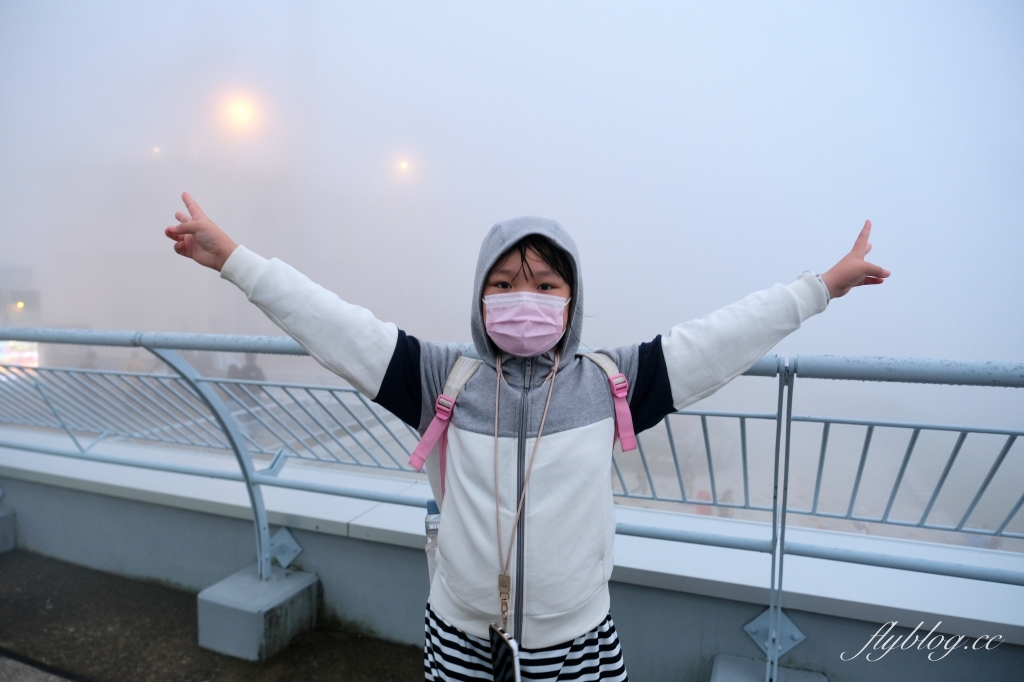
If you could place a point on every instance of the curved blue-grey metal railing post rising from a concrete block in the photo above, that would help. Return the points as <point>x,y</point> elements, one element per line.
<point>231,429</point>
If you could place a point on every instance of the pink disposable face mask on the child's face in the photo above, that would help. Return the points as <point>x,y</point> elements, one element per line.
<point>525,324</point>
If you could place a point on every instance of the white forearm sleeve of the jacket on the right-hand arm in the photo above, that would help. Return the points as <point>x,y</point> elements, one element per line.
<point>705,355</point>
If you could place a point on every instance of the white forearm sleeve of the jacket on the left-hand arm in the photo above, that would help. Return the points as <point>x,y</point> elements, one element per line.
<point>343,337</point>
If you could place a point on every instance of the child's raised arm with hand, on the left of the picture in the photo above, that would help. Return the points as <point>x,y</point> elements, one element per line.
<point>343,337</point>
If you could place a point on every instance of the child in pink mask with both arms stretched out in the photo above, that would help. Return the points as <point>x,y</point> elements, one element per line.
<point>529,521</point>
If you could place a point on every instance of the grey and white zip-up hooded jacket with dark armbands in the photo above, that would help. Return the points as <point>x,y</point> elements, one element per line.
<point>563,556</point>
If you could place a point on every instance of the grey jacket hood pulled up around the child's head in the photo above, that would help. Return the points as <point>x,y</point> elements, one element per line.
<point>498,241</point>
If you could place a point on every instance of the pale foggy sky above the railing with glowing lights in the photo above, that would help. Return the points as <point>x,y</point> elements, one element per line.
<point>697,153</point>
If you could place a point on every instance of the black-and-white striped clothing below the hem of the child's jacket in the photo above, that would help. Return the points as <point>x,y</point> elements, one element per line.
<point>452,656</point>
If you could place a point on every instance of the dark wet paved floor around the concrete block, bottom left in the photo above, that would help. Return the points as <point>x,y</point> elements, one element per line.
<point>86,625</point>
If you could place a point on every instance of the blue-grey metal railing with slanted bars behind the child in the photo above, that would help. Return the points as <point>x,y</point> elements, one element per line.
<point>336,424</point>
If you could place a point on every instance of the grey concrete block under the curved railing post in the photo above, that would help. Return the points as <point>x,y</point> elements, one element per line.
<point>247,618</point>
